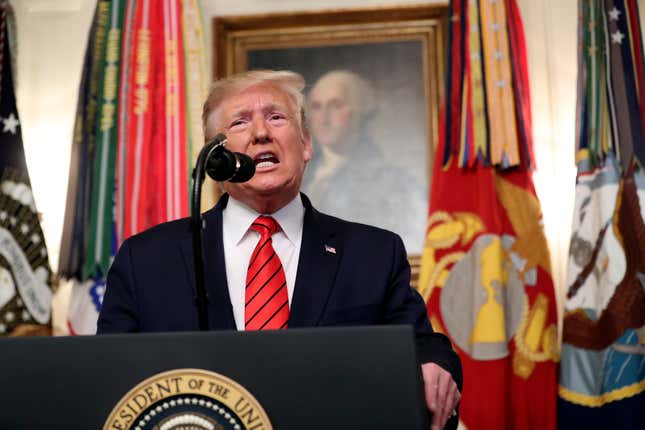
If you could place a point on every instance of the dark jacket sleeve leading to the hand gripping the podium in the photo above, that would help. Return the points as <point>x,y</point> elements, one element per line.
<point>406,306</point>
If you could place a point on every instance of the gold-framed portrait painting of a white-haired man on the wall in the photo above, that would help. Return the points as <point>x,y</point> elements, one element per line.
<point>374,83</point>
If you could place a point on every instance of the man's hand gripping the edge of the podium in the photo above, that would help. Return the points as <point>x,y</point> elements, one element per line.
<point>442,394</point>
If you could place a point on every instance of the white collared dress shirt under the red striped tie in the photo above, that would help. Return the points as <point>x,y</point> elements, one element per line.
<point>240,241</point>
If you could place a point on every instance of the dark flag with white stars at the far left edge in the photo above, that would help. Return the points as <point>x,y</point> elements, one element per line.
<point>25,275</point>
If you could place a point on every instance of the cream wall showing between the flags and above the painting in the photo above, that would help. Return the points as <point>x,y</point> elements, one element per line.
<point>51,40</point>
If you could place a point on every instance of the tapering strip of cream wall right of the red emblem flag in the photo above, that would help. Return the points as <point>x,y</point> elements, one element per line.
<point>551,38</point>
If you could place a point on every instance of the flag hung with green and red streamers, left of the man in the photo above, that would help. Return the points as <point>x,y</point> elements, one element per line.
<point>137,119</point>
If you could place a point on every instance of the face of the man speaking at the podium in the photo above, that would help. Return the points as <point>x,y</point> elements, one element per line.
<point>261,123</point>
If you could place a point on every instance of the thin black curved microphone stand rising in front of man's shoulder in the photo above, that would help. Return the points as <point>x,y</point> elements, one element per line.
<point>197,225</point>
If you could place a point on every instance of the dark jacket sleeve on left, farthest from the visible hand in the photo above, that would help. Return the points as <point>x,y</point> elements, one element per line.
<point>119,309</point>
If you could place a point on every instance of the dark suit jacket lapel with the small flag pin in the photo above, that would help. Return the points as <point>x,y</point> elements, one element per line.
<point>320,254</point>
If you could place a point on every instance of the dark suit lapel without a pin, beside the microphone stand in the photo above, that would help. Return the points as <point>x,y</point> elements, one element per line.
<point>220,310</point>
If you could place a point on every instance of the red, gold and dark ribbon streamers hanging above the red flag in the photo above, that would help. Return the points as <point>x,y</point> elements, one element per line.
<point>487,97</point>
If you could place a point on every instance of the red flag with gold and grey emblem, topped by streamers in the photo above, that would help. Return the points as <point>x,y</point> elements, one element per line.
<point>485,269</point>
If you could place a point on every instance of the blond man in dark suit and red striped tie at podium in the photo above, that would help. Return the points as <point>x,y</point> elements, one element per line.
<point>273,261</point>
